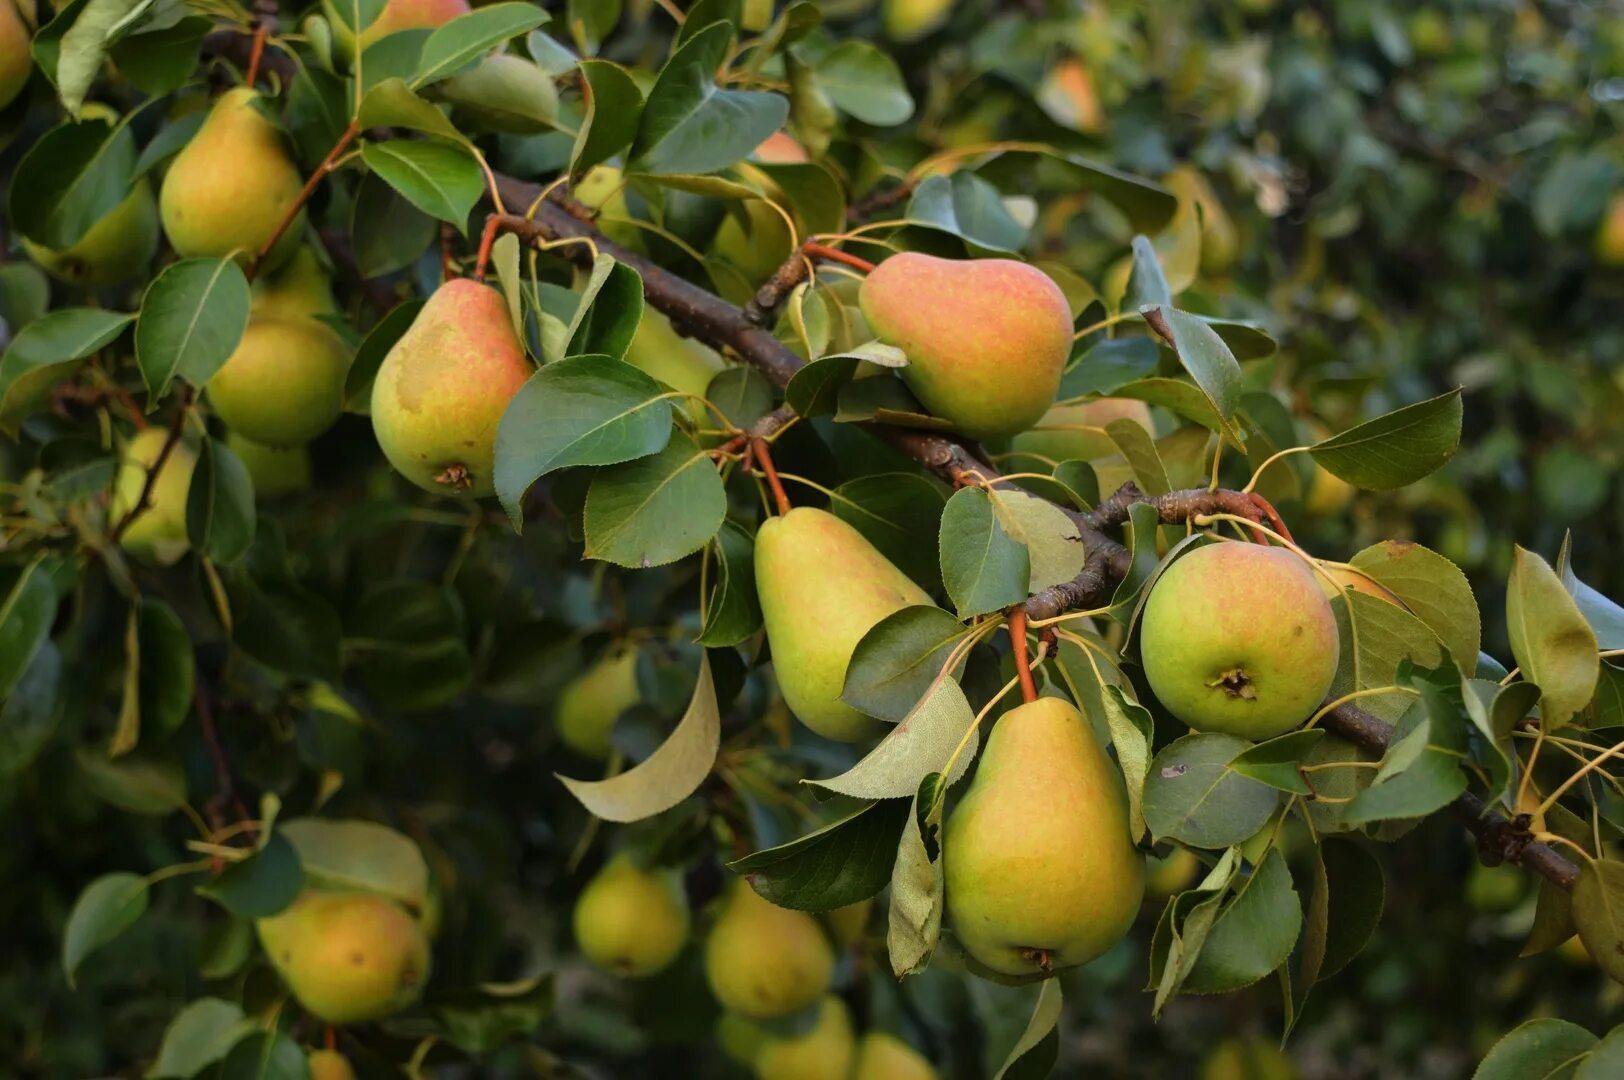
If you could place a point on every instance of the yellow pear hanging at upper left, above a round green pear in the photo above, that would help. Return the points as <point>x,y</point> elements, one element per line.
<point>231,186</point>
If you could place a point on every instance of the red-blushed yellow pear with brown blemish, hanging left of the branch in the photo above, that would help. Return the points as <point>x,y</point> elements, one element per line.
<point>441,392</point>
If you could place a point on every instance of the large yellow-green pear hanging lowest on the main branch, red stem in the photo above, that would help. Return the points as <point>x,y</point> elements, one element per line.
<point>1040,868</point>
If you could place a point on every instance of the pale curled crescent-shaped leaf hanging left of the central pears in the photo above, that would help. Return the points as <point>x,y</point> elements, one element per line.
<point>670,774</point>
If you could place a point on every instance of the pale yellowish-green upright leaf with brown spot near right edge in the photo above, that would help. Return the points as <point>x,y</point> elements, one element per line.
<point>1552,641</point>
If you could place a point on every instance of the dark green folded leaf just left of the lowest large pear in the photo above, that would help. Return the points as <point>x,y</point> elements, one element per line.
<point>836,866</point>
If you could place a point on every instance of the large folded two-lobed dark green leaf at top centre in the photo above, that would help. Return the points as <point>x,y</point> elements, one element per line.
<point>693,126</point>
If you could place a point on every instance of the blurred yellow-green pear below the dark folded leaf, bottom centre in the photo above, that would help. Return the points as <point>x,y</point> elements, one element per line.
<point>766,962</point>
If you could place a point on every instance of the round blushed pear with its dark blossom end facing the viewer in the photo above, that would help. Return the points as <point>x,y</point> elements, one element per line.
<point>1240,639</point>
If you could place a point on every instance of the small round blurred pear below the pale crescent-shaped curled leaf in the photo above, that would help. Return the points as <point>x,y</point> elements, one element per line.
<point>633,922</point>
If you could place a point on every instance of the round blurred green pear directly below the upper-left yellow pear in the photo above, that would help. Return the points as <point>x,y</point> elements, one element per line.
<point>285,382</point>
